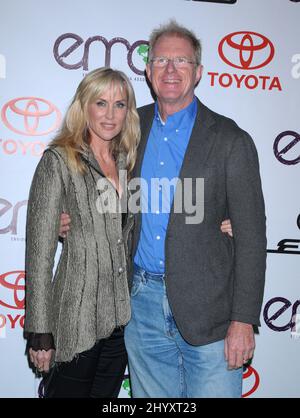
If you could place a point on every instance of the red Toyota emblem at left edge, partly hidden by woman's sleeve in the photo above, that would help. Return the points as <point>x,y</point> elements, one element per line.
<point>11,281</point>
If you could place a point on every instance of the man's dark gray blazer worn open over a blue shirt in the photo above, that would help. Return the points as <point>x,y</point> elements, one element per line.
<point>212,279</point>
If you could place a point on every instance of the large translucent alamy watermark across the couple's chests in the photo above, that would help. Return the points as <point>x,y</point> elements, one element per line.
<point>184,196</point>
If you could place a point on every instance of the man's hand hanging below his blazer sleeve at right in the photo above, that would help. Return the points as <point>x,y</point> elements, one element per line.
<point>239,344</point>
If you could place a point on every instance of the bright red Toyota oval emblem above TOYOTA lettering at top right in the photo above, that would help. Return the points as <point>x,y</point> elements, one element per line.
<point>246,50</point>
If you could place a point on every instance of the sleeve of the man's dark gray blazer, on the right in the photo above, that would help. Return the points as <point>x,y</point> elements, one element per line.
<point>247,214</point>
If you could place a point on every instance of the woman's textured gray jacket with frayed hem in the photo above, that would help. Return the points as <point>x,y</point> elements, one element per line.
<point>88,296</point>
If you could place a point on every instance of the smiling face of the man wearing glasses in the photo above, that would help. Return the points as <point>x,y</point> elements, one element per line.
<point>174,86</point>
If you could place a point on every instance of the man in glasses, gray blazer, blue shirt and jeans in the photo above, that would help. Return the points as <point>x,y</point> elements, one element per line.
<point>196,293</point>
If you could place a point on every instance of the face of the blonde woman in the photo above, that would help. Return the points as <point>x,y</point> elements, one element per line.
<point>107,114</point>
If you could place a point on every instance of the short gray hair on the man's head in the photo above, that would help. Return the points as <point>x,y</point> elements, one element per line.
<point>172,28</point>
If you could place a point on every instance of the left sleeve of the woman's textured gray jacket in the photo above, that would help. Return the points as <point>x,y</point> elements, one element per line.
<point>42,227</point>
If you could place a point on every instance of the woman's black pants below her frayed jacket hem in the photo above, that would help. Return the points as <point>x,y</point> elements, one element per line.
<point>96,373</point>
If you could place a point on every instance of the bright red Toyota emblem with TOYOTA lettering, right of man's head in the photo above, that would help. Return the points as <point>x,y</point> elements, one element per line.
<point>247,51</point>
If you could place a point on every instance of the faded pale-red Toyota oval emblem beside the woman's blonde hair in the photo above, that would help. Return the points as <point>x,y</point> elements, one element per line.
<point>37,116</point>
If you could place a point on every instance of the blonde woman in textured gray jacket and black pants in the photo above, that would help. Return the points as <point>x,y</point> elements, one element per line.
<point>76,318</point>
